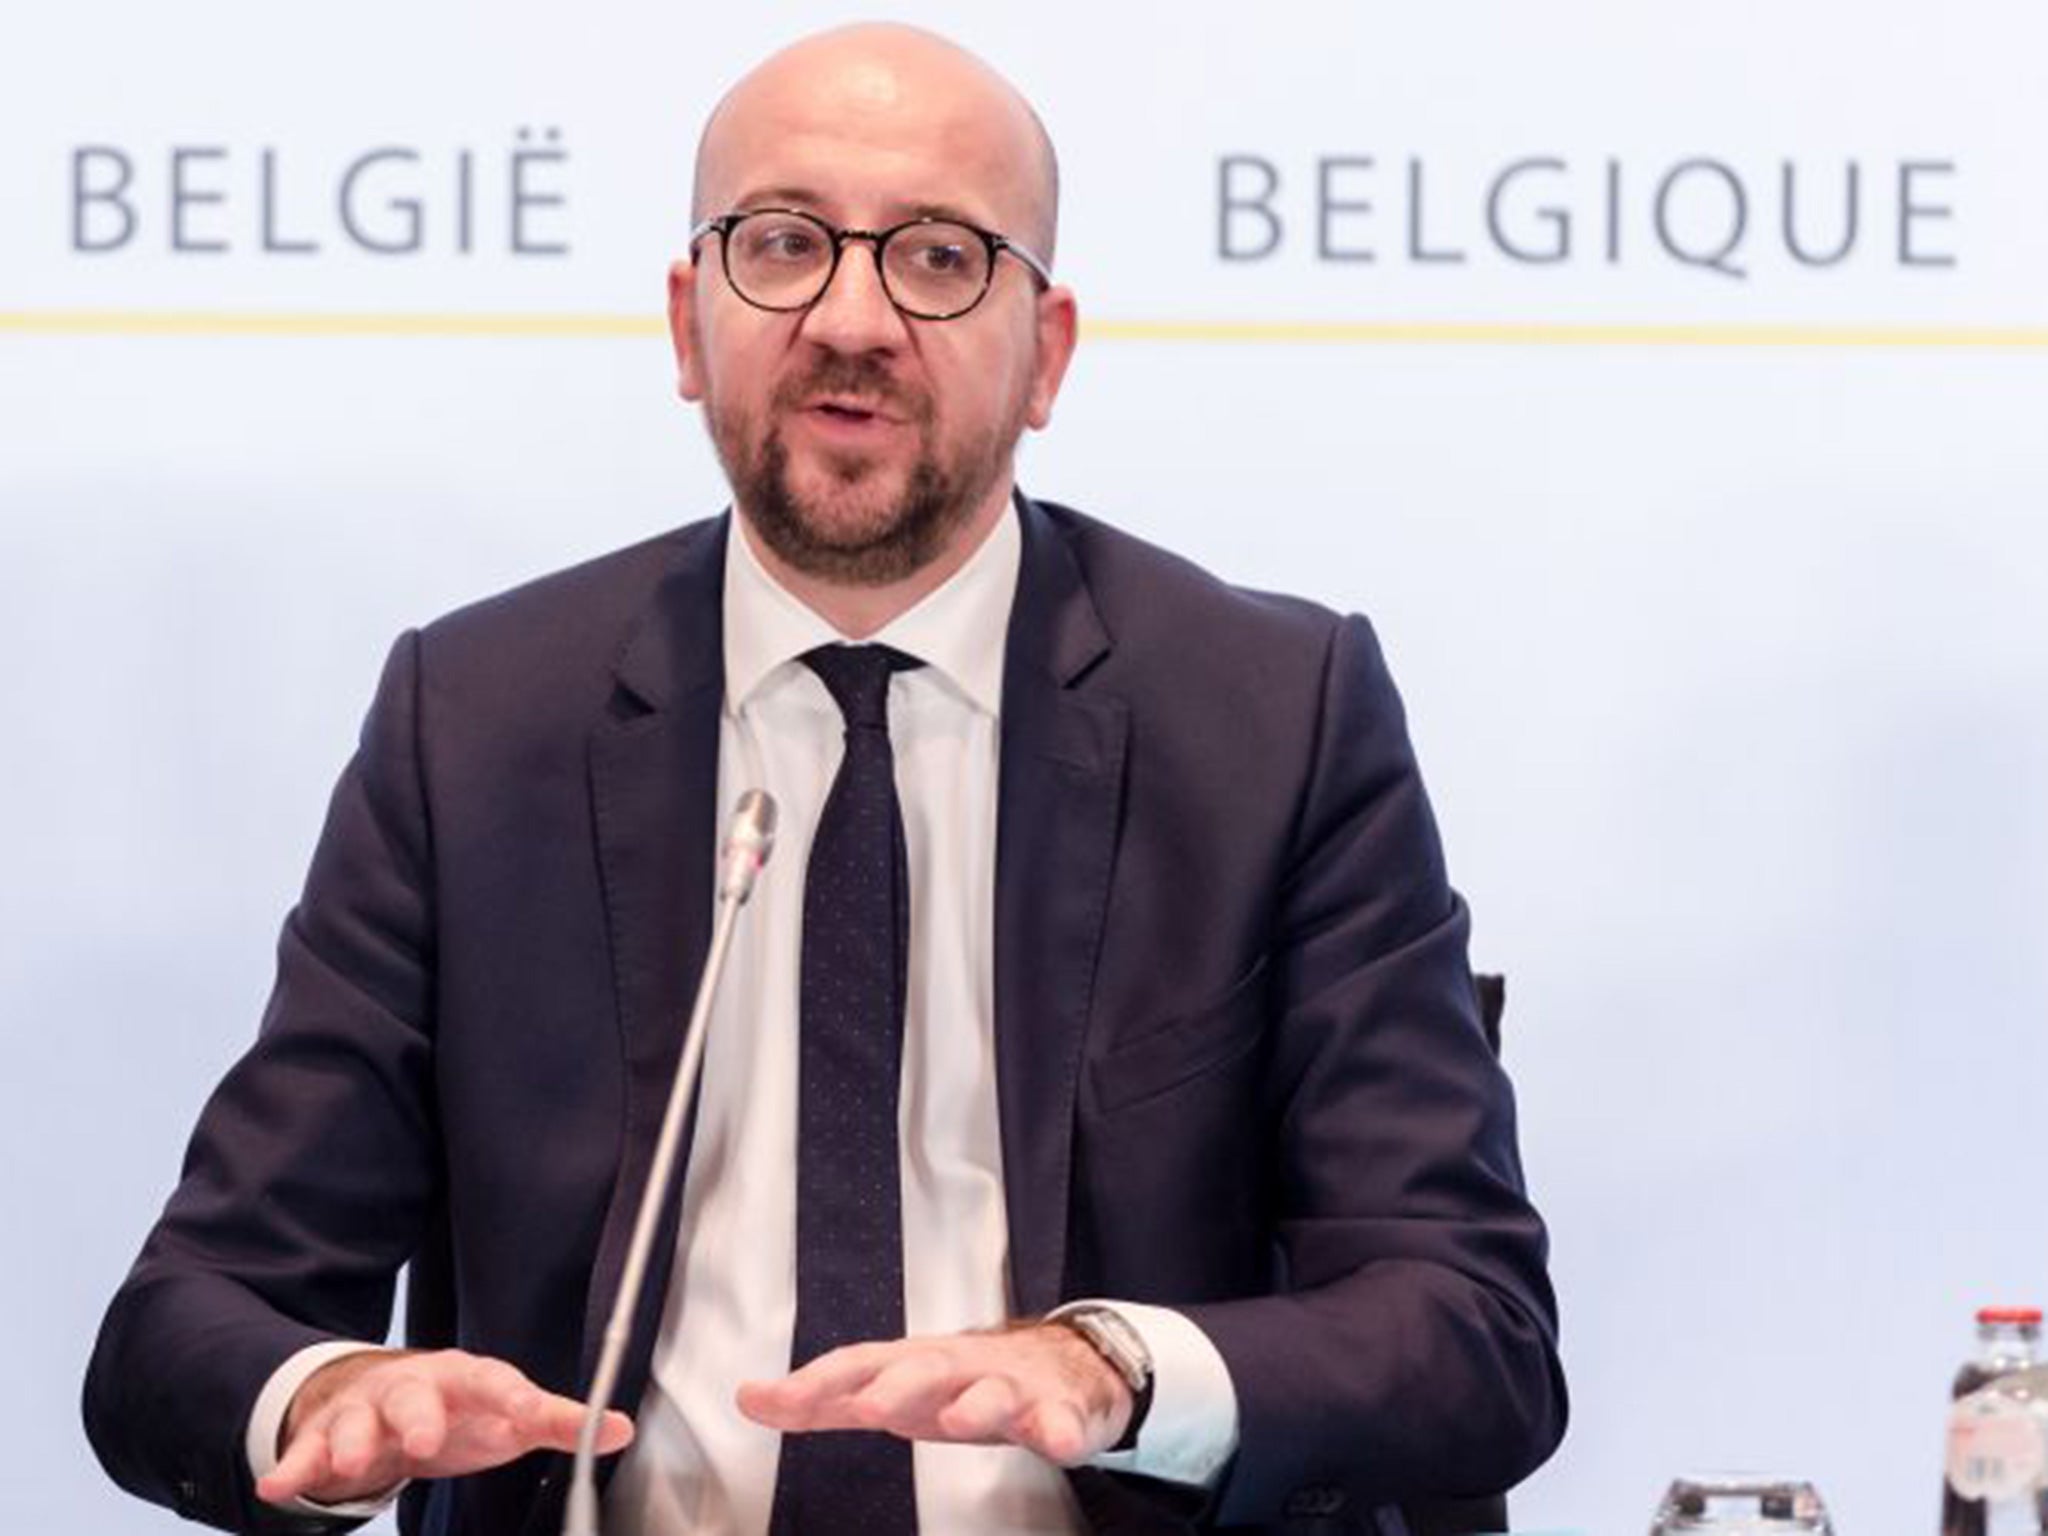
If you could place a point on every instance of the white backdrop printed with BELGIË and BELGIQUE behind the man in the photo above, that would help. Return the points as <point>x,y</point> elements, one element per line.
<point>1717,599</point>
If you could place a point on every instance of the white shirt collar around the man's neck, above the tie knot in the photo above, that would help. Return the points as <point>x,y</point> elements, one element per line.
<point>959,630</point>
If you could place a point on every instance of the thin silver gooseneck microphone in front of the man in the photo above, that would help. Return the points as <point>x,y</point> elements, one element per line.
<point>749,843</point>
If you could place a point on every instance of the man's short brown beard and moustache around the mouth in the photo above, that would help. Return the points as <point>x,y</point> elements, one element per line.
<point>855,527</point>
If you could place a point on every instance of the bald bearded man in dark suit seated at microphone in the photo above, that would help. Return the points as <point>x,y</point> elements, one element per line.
<point>1158,947</point>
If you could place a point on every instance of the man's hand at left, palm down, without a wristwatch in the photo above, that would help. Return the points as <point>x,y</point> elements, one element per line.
<point>368,1422</point>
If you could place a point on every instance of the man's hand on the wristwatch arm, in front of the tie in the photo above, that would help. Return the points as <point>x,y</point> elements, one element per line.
<point>1041,1388</point>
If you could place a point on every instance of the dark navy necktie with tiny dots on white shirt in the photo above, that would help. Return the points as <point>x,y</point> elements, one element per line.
<point>851,1064</point>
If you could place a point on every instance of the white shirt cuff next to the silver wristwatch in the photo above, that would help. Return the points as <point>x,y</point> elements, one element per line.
<point>1191,1431</point>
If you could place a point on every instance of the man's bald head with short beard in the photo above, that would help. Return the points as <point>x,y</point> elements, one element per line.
<point>869,447</point>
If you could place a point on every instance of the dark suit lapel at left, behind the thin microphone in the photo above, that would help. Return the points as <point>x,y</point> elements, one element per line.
<point>654,771</point>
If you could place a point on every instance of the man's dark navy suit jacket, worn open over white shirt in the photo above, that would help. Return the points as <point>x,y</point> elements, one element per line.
<point>1240,1068</point>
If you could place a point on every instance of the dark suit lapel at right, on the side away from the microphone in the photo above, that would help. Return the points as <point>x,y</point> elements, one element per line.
<point>1056,841</point>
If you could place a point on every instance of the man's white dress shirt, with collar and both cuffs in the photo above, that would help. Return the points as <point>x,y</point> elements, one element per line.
<point>697,1465</point>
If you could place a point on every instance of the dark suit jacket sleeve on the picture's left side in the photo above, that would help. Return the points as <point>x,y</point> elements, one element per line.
<point>312,1170</point>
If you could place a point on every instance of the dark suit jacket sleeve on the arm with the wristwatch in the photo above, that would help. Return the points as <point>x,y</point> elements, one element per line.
<point>1410,1347</point>
